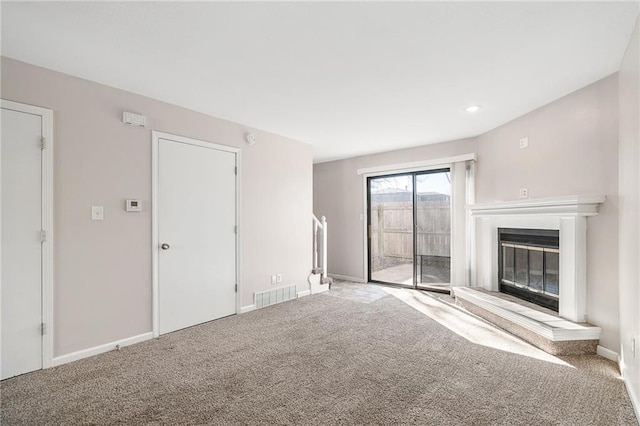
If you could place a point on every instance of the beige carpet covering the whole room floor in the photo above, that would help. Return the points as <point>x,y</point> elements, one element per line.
<point>355,355</point>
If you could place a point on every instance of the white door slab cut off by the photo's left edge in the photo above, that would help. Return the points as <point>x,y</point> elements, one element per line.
<point>21,242</point>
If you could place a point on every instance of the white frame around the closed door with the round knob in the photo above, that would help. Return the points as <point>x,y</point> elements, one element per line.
<point>155,249</point>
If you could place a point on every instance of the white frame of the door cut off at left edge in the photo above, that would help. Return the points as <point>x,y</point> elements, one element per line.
<point>47,223</point>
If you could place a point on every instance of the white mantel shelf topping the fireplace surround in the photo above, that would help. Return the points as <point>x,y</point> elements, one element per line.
<point>576,205</point>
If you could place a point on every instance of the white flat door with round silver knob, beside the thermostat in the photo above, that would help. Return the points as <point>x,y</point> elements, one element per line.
<point>196,202</point>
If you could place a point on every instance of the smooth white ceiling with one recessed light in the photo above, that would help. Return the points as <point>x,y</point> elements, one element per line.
<point>349,78</point>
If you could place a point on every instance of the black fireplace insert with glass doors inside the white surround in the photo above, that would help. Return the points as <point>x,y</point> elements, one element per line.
<point>528,265</point>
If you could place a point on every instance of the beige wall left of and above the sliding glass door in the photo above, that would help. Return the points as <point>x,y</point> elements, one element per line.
<point>338,195</point>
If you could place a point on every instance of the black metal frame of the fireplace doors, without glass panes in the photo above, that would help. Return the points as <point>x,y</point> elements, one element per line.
<point>544,241</point>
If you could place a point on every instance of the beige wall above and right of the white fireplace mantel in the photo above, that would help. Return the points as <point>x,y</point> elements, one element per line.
<point>573,150</point>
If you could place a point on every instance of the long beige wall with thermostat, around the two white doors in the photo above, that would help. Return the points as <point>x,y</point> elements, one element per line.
<point>102,286</point>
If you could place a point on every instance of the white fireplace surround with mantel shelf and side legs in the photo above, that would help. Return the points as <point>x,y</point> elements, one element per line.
<point>566,214</point>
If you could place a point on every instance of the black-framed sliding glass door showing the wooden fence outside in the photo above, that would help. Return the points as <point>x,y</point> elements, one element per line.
<point>409,229</point>
